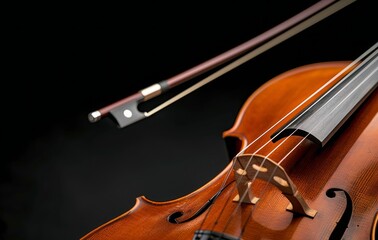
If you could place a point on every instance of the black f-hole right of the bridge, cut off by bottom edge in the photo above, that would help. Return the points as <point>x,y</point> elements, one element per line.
<point>342,224</point>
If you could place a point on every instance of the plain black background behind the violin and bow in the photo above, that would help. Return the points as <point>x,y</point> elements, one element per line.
<point>62,176</point>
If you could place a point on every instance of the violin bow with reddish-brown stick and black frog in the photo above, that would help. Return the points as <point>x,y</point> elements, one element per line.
<point>126,112</point>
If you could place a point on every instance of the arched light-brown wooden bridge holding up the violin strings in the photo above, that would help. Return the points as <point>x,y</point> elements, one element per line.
<point>248,167</point>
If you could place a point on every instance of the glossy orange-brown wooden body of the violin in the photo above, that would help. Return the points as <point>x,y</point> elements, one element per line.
<point>339,181</point>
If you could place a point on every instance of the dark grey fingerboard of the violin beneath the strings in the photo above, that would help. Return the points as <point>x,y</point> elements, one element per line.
<point>321,120</point>
